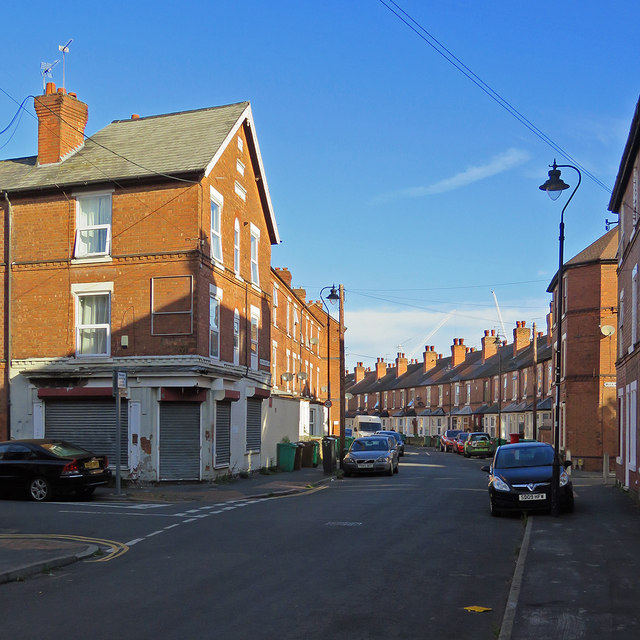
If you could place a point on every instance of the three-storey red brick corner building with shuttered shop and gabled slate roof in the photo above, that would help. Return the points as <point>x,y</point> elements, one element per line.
<point>144,248</point>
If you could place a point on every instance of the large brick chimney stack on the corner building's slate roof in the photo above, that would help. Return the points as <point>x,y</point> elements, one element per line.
<point>61,122</point>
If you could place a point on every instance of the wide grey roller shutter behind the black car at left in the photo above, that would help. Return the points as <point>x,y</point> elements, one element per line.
<point>90,424</point>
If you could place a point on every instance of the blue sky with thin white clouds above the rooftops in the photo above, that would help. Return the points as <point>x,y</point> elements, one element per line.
<point>389,171</point>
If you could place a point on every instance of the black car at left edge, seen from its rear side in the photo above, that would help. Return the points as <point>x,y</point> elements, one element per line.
<point>43,467</point>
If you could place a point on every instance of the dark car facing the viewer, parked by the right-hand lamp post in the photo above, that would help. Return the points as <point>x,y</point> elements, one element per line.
<point>520,479</point>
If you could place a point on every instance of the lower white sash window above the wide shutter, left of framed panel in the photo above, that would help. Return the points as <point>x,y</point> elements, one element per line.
<point>93,319</point>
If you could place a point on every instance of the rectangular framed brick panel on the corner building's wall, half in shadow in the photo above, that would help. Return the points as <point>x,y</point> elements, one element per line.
<point>171,305</point>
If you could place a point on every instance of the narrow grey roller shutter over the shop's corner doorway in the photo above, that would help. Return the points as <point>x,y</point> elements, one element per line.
<point>179,441</point>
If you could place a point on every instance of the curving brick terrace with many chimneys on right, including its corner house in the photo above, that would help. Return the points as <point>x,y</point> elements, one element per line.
<point>504,388</point>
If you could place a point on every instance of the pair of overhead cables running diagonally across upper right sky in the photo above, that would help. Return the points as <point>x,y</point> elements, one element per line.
<point>437,46</point>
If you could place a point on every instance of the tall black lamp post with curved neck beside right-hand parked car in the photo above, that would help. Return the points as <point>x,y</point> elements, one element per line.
<point>554,186</point>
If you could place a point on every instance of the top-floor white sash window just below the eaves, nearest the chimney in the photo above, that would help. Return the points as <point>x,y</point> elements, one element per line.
<point>93,226</point>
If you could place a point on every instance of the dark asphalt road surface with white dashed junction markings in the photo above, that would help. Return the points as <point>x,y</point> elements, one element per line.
<point>367,557</point>
